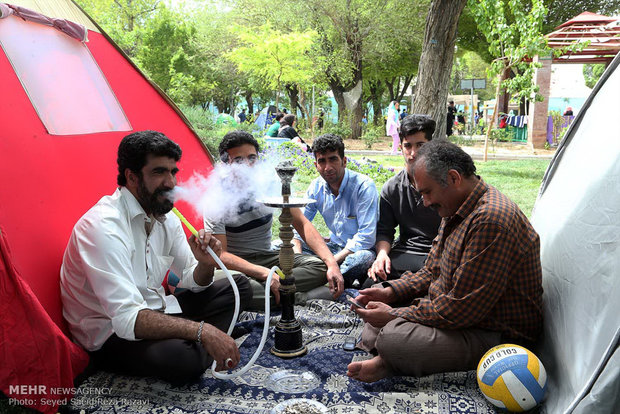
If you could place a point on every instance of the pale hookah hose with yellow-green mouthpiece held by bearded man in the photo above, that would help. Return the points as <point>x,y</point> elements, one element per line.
<point>236,313</point>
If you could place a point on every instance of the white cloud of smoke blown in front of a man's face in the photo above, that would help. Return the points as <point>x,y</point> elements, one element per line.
<point>228,187</point>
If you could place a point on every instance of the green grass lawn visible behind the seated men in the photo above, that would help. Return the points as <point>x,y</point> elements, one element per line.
<point>518,179</point>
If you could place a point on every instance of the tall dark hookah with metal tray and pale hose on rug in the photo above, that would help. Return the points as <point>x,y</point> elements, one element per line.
<point>288,337</point>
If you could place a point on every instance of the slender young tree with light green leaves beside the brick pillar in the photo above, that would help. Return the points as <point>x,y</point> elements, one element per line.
<point>513,30</point>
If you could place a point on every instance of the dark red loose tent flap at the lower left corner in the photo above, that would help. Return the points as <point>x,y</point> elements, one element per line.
<point>34,351</point>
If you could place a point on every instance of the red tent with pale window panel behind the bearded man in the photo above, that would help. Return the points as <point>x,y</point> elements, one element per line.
<point>65,104</point>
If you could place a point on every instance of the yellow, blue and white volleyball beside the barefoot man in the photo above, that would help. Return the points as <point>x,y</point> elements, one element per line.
<point>512,377</point>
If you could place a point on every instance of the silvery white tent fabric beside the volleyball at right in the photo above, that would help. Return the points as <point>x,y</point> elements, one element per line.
<point>577,216</point>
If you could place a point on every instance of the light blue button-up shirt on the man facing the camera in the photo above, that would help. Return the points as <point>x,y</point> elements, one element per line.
<point>352,215</point>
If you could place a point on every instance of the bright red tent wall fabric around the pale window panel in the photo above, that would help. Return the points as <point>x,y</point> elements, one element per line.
<point>56,179</point>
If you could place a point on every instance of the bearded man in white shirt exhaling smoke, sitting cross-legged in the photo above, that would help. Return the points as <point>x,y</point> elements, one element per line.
<point>116,260</point>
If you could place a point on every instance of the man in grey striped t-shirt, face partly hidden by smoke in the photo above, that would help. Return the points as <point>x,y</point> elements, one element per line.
<point>246,239</point>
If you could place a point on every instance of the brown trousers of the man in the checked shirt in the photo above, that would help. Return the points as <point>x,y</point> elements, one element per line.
<point>412,349</point>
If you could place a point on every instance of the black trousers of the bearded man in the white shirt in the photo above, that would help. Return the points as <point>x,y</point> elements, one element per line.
<point>176,360</point>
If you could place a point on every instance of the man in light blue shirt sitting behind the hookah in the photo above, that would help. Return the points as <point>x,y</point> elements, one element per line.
<point>348,203</point>
